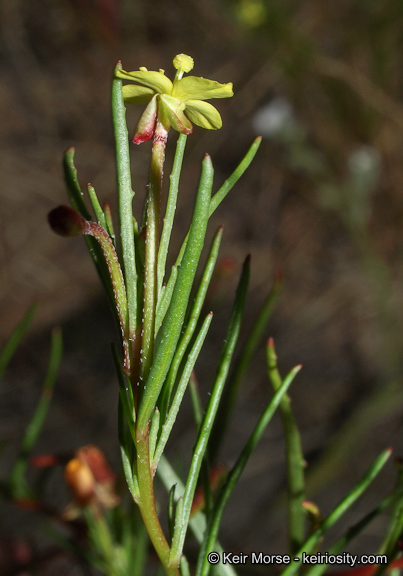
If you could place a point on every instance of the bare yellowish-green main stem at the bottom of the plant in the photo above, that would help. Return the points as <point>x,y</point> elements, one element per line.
<point>147,504</point>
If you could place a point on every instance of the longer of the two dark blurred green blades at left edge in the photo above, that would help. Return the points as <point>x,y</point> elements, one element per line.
<point>17,476</point>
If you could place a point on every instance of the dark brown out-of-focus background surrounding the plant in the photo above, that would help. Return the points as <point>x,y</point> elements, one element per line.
<point>322,202</point>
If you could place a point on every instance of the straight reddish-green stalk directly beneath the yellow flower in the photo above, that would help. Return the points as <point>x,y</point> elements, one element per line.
<point>151,249</point>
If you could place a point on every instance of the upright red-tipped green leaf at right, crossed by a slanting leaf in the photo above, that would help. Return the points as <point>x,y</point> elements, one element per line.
<point>294,456</point>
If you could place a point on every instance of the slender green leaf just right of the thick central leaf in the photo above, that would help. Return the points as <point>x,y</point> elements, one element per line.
<point>191,324</point>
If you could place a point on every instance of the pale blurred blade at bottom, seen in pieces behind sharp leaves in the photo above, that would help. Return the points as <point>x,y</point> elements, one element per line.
<point>197,522</point>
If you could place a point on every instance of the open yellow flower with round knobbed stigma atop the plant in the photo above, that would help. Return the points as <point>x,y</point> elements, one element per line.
<point>177,103</point>
